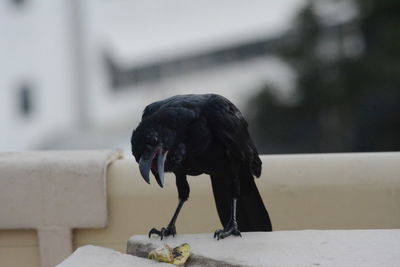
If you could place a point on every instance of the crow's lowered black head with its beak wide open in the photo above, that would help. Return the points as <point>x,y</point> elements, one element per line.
<point>150,146</point>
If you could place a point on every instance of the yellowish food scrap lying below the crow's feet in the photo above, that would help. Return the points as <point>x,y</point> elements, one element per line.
<point>165,253</point>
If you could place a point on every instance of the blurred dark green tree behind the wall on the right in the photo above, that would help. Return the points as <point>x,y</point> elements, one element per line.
<point>348,83</point>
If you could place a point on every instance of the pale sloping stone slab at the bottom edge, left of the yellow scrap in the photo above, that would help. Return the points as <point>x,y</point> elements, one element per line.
<point>92,256</point>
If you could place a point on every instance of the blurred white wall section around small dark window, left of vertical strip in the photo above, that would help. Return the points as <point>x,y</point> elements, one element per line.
<point>35,48</point>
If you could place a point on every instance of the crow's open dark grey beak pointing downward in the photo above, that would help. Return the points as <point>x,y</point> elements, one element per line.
<point>154,161</point>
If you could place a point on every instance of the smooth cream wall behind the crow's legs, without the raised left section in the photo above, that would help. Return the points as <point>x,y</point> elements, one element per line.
<point>320,191</point>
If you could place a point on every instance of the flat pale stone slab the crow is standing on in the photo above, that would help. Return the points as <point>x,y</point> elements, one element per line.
<point>351,248</point>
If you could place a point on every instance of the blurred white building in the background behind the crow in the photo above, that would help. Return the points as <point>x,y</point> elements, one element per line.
<point>77,74</point>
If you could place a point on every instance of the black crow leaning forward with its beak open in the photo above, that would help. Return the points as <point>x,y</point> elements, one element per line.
<point>195,134</point>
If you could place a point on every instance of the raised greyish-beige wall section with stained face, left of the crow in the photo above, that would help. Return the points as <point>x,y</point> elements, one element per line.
<point>54,192</point>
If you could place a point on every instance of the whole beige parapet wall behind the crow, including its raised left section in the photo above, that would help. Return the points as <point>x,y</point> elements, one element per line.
<point>317,191</point>
